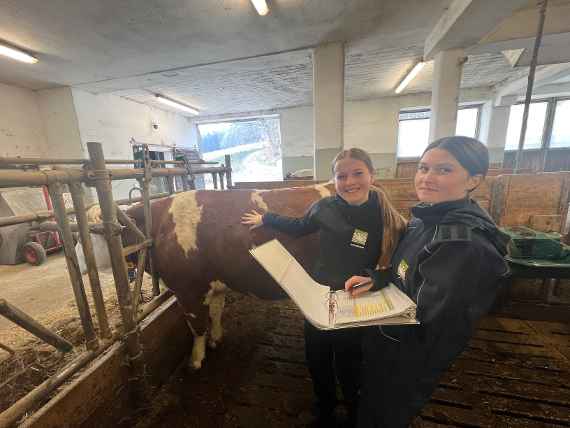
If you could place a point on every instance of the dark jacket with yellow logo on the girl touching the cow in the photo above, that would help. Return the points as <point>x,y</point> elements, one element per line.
<point>350,236</point>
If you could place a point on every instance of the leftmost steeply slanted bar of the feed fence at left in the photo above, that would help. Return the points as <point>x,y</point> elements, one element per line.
<point>56,194</point>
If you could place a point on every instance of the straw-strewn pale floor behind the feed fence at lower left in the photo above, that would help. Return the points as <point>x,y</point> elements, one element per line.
<point>44,293</point>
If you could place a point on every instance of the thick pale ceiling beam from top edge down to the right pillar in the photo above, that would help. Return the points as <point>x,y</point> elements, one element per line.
<point>466,22</point>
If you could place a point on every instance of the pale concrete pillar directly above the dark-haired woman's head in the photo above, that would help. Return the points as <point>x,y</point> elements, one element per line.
<point>448,66</point>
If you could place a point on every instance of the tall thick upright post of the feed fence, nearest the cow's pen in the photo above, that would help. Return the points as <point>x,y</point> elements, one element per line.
<point>102,179</point>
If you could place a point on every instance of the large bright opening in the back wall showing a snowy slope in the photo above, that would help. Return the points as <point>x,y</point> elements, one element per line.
<point>254,146</point>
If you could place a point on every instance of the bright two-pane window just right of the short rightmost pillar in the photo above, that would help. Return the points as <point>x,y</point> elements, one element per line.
<point>535,126</point>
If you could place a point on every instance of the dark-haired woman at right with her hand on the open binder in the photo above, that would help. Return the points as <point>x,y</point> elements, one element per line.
<point>450,262</point>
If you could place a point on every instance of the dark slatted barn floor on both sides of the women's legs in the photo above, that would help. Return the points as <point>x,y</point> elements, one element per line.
<point>514,374</point>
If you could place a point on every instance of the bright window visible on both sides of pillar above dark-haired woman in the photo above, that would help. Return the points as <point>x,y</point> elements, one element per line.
<point>413,130</point>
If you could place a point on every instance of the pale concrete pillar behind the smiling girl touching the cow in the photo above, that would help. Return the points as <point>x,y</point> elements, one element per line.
<point>328,106</point>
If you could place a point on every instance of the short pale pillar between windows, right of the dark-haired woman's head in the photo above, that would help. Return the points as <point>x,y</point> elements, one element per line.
<point>494,123</point>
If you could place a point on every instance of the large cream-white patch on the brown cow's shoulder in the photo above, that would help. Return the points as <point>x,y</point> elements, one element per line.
<point>186,215</point>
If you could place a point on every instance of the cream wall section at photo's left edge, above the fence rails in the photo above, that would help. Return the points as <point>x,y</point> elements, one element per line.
<point>21,128</point>
